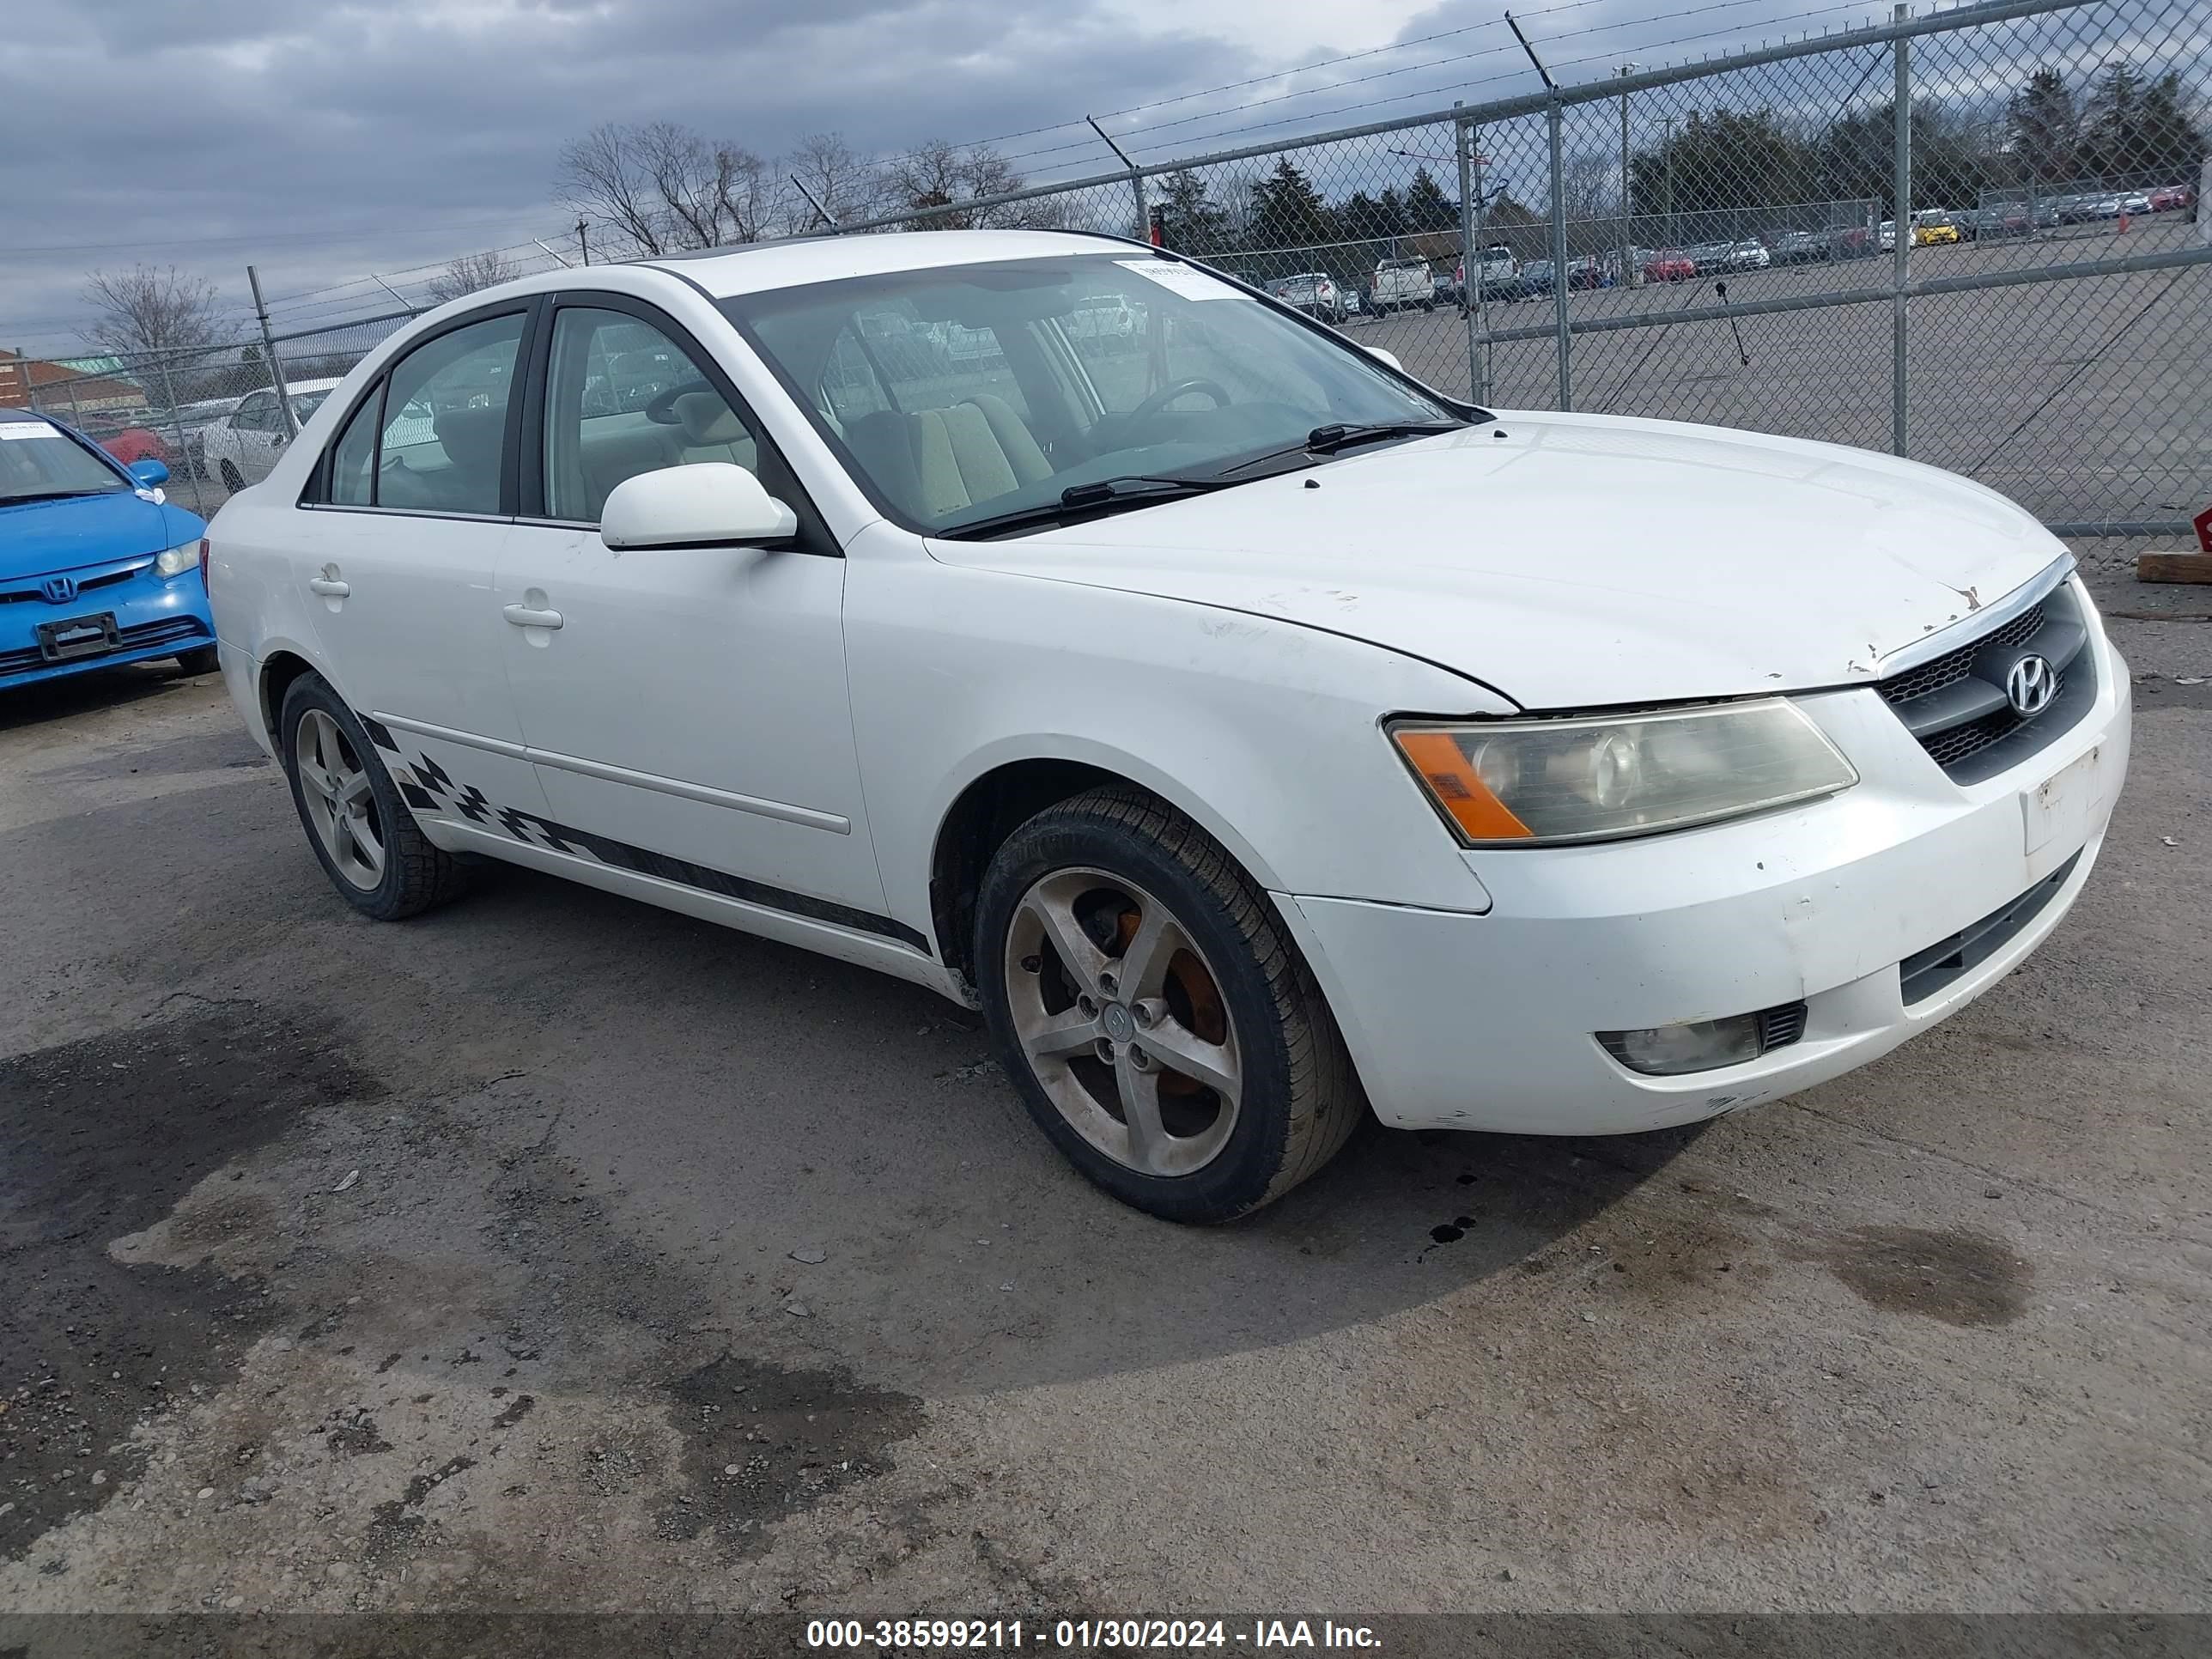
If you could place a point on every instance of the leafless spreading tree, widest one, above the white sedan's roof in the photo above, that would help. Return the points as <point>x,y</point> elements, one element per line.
<point>662,187</point>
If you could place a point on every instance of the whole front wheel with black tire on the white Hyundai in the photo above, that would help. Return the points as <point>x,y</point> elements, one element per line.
<point>1151,1012</point>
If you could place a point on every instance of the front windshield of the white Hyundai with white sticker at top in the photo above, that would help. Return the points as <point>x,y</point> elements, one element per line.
<point>970,393</point>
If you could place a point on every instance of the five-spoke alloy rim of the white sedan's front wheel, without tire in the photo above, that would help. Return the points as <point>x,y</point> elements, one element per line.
<point>1123,1021</point>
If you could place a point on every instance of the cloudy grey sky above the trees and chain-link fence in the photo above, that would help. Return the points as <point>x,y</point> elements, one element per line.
<point>331,138</point>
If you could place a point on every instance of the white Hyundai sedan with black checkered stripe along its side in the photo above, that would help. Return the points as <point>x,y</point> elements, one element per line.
<point>1255,735</point>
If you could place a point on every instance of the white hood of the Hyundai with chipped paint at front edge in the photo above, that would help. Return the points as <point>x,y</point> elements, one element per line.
<point>1580,561</point>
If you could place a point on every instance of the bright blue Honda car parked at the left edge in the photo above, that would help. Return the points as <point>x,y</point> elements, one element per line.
<point>96,570</point>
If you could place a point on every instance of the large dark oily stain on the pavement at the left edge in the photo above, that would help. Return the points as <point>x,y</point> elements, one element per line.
<point>101,1138</point>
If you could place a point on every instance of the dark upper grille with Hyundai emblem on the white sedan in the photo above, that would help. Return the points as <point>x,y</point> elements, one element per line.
<point>1959,711</point>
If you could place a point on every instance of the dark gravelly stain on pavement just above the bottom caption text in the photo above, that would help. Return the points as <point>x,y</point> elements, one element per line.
<point>762,1443</point>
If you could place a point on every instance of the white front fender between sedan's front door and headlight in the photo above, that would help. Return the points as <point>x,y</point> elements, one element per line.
<point>1262,731</point>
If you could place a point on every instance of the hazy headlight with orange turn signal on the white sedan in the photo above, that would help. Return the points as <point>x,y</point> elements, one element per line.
<point>1534,782</point>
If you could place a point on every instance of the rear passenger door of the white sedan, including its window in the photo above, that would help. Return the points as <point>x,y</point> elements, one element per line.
<point>415,503</point>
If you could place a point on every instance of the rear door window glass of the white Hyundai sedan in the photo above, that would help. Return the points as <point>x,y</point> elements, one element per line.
<point>444,437</point>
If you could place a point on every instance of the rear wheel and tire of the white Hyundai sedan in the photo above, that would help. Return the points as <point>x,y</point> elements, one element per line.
<point>357,824</point>
